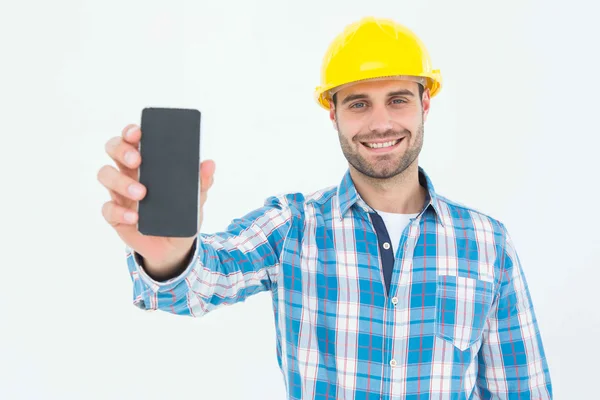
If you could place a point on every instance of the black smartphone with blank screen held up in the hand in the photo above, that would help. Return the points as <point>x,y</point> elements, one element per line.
<point>170,171</point>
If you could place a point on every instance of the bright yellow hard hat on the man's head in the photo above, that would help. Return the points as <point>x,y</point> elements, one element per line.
<point>375,48</point>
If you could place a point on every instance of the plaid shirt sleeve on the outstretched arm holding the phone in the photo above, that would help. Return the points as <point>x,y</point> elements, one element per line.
<point>226,267</point>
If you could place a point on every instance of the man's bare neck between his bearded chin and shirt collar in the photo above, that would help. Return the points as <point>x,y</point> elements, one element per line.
<point>401,194</point>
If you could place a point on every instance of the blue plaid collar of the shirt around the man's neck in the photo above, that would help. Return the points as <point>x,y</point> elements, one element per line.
<point>348,196</point>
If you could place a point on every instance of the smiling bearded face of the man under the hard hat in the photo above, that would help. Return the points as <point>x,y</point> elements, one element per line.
<point>380,125</point>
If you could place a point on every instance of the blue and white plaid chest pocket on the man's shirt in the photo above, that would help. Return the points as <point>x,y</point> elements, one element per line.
<point>462,308</point>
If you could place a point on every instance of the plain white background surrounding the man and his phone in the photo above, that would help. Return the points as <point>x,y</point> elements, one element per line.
<point>513,133</point>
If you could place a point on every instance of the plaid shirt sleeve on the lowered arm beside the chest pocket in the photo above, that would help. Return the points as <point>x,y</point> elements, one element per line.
<point>512,361</point>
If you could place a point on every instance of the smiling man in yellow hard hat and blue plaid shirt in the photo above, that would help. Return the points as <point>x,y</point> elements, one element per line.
<point>382,288</point>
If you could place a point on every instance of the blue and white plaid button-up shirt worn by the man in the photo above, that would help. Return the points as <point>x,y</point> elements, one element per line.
<point>456,323</point>
